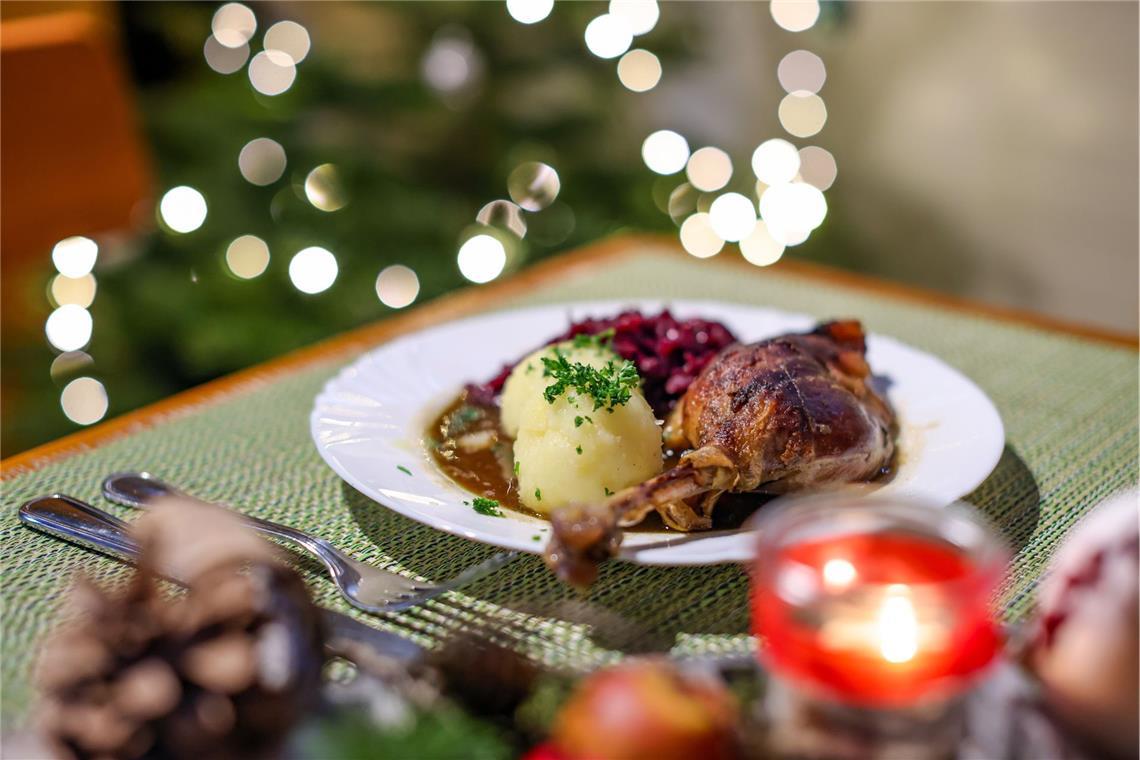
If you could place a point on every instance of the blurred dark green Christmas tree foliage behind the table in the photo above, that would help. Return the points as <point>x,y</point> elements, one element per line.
<point>417,167</point>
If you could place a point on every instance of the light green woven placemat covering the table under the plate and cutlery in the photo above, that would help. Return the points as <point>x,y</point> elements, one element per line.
<point>1070,408</point>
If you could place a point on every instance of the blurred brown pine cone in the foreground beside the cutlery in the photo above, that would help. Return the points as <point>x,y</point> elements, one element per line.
<point>224,672</point>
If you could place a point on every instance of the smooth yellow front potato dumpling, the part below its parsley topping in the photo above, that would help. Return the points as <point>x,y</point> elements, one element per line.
<point>568,452</point>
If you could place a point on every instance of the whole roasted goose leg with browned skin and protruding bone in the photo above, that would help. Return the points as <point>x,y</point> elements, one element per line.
<point>781,415</point>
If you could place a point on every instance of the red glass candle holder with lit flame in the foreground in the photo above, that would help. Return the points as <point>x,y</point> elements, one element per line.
<point>876,602</point>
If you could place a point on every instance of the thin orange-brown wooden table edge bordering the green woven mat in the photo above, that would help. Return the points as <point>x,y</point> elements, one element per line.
<point>474,300</point>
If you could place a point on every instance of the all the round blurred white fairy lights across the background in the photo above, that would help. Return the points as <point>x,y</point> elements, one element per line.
<point>780,210</point>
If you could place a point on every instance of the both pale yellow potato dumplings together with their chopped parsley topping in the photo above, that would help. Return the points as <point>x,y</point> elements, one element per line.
<point>584,431</point>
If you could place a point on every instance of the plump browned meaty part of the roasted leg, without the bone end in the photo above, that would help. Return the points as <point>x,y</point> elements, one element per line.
<point>793,412</point>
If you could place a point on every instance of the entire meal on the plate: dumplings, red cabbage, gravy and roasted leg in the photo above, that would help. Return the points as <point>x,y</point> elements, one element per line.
<point>574,431</point>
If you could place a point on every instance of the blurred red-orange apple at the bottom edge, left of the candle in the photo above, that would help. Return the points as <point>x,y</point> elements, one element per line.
<point>648,709</point>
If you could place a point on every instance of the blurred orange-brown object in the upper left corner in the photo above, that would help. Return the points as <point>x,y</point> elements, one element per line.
<point>70,150</point>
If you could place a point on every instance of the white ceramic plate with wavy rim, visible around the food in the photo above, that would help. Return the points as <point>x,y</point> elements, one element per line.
<point>370,421</point>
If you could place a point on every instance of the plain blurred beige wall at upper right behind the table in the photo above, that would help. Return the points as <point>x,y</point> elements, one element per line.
<point>986,149</point>
